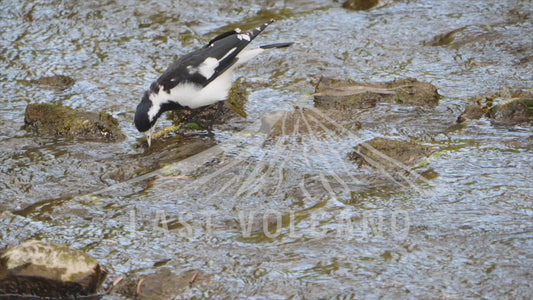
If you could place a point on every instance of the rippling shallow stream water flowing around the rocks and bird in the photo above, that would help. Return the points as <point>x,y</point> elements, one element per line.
<point>274,218</point>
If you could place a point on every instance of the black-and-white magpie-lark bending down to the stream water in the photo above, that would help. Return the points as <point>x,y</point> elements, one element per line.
<point>200,78</point>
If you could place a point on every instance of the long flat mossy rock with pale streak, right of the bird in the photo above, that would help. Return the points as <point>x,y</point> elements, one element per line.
<point>350,95</point>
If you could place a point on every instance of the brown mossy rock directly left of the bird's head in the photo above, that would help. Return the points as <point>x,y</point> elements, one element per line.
<point>61,121</point>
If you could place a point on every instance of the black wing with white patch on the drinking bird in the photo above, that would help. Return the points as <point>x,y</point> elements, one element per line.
<point>205,64</point>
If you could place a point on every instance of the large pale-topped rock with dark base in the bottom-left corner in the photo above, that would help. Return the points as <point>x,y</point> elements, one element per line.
<point>47,270</point>
